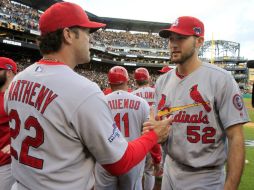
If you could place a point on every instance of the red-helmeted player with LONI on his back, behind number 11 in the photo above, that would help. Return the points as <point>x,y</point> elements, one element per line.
<point>142,78</point>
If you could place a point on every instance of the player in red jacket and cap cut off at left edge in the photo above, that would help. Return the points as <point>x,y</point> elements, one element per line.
<point>8,69</point>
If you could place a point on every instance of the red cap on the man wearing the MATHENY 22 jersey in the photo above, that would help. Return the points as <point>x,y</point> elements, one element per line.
<point>66,14</point>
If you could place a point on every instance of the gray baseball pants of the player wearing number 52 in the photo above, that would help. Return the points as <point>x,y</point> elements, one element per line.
<point>179,177</point>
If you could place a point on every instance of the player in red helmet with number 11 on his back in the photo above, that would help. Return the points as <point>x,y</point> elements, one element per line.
<point>129,113</point>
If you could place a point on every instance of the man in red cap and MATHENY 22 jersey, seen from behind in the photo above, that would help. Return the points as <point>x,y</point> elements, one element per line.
<point>60,121</point>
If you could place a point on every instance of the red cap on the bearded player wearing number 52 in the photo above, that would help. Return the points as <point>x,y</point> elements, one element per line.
<point>185,25</point>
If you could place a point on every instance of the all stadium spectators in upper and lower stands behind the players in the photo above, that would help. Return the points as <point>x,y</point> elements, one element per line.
<point>123,43</point>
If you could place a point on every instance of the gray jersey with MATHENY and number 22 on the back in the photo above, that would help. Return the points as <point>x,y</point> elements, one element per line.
<point>60,123</point>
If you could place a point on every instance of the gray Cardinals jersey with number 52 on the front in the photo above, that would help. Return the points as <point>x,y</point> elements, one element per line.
<point>203,104</point>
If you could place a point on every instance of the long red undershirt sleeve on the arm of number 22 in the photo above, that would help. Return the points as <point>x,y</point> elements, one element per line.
<point>135,152</point>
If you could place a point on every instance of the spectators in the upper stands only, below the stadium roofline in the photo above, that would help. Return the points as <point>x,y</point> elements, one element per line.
<point>145,43</point>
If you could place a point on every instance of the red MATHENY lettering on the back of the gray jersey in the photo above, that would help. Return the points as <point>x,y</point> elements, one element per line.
<point>31,93</point>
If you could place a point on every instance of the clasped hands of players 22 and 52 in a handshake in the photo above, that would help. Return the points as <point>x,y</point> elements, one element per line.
<point>161,128</point>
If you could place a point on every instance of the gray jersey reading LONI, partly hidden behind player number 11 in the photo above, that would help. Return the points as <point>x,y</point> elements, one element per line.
<point>146,93</point>
